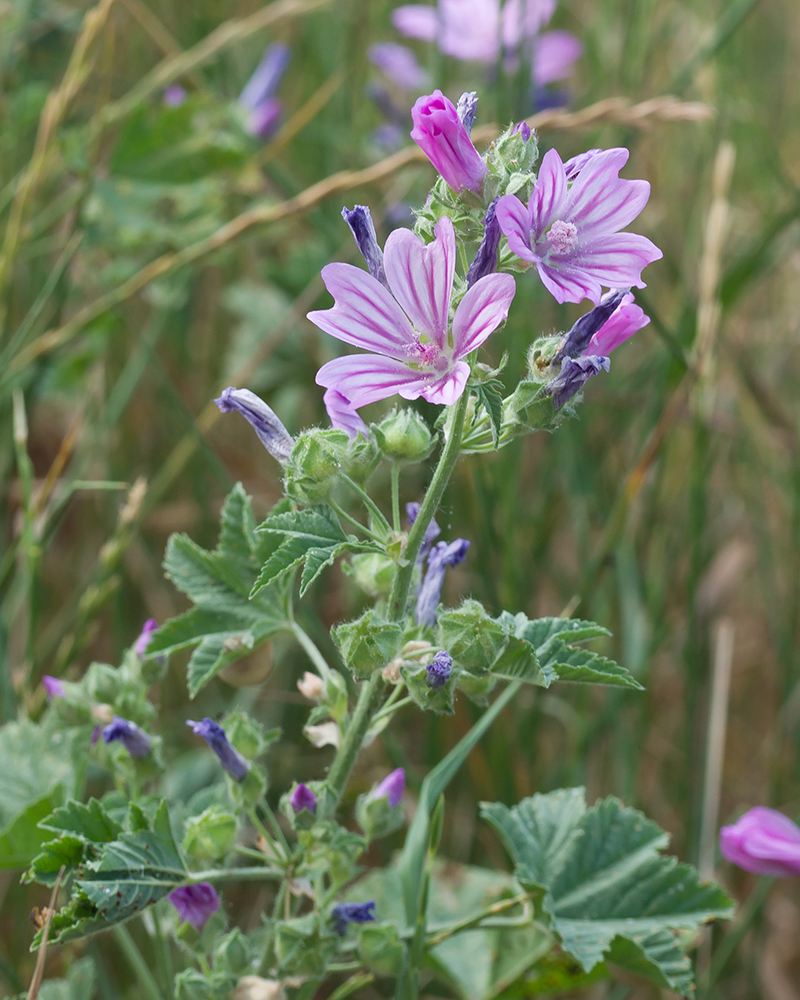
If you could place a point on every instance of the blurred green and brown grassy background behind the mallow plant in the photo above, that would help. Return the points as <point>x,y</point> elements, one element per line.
<point>154,254</point>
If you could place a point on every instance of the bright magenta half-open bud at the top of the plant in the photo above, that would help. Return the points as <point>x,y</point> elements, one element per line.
<point>445,141</point>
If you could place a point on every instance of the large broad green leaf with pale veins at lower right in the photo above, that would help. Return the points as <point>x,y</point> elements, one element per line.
<point>608,891</point>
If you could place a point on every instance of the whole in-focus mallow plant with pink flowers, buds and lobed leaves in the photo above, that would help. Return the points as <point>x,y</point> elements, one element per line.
<point>586,883</point>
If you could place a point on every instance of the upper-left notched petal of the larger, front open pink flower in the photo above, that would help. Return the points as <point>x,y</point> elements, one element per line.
<point>365,314</point>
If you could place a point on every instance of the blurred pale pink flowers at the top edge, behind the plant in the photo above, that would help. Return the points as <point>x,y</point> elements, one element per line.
<point>480,30</point>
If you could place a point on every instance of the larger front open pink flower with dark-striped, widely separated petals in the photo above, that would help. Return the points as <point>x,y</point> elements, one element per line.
<point>414,352</point>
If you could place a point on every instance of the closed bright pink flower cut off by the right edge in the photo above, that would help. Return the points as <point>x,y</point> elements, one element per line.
<point>763,841</point>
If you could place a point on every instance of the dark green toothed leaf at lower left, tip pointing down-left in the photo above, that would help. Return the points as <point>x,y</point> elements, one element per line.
<point>132,872</point>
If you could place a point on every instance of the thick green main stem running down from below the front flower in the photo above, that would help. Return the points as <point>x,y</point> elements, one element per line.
<point>371,694</point>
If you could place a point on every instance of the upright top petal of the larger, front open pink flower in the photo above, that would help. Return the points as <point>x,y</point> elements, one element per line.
<point>421,277</point>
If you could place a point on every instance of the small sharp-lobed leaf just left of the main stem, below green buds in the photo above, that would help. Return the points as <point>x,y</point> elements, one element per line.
<point>312,534</point>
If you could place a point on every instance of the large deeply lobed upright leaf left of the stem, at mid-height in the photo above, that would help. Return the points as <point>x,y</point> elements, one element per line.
<point>225,623</point>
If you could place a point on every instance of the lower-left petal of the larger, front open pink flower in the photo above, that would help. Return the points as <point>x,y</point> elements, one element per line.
<point>365,378</point>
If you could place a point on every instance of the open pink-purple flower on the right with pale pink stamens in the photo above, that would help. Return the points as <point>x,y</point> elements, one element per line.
<point>571,232</point>
